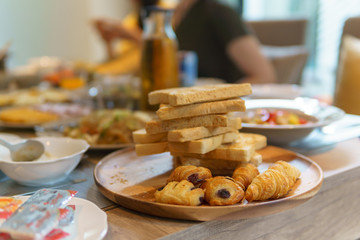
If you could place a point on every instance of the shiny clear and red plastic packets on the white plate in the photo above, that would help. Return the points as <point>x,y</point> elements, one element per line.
<point>41,216</point>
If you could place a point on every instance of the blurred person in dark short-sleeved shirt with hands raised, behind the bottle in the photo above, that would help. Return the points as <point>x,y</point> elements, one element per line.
<point>226,49</point>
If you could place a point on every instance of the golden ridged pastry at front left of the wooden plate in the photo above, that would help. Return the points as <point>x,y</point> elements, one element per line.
<point>180,193</point>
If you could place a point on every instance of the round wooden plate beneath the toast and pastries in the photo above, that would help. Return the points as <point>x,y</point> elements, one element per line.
<point>131,181</point>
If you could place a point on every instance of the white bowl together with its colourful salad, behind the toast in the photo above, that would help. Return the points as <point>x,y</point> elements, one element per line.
<point>284,121</point>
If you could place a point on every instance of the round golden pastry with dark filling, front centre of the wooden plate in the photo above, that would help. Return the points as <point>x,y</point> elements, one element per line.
<point>222,191</point>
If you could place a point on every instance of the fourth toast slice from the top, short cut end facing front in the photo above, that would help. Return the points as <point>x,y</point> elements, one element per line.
<point>188,134</point>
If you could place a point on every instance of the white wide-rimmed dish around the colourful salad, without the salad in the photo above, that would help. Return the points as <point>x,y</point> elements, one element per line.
<point>317,114</point>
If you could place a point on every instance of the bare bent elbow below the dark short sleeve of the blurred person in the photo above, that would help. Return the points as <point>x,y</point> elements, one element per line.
<point>246,54</point>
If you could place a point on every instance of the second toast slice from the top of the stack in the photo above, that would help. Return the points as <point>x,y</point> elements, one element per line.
<point>167,112</point>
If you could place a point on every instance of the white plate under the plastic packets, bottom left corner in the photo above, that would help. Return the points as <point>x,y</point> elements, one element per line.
<point>90,221</point>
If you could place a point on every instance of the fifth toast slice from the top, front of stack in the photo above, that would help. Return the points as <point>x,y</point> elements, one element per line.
<point>204,145</point>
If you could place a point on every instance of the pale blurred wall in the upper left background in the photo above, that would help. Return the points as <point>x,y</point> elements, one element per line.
<point>59,28</point>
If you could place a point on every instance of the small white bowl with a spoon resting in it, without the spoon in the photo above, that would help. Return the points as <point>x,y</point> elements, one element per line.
<point>61,157</point>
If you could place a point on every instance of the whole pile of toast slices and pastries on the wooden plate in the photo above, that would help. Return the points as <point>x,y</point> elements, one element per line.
<point>197,127</point>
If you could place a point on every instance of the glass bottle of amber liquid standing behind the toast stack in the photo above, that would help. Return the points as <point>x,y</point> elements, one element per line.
<point>159,62</point>
